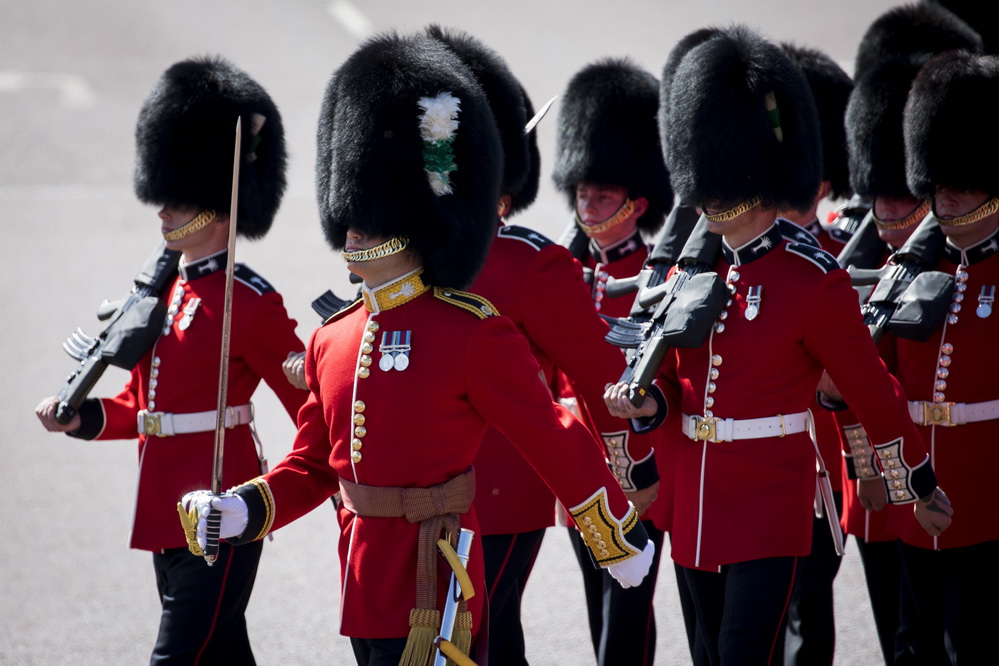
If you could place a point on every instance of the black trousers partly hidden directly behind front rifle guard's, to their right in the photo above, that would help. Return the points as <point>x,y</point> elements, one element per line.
<point>811,624</point>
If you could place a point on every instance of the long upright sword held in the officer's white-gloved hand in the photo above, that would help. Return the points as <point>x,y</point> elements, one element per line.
<point>214,520</point>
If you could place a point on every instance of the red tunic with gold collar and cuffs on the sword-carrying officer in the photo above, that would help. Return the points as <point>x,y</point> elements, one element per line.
<point>421,426</point>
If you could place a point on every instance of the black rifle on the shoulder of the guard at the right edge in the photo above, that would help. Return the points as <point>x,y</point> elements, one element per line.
<point>920,253</point>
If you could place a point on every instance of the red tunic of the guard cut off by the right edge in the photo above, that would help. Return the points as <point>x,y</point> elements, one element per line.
<point>963,456</point>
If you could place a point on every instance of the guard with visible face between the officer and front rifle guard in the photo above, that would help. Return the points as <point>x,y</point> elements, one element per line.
<point>609,166</point>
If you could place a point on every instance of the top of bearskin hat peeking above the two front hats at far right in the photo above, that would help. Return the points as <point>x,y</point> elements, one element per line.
<point>923,27</point>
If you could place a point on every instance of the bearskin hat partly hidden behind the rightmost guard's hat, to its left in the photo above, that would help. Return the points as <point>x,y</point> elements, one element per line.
<point>874,127</point>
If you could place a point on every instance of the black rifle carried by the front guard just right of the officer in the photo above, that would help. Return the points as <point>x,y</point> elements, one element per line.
<point>676,313</point>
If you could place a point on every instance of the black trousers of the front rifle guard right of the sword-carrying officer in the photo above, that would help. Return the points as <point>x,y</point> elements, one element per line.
<point>742,611</point>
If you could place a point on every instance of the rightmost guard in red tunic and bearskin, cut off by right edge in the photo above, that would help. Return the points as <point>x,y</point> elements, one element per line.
<point>949,377</point>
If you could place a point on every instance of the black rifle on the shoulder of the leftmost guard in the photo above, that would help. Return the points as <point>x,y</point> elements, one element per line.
<point>134,324</point>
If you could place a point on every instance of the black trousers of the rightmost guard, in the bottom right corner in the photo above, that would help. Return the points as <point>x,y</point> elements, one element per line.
<point>949,613</point>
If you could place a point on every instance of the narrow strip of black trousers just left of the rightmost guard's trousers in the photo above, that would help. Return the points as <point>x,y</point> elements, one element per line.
<point>883,573</point>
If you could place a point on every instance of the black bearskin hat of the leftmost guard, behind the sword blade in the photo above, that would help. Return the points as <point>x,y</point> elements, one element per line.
<point>185,138</point>
